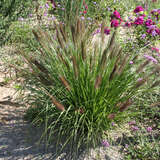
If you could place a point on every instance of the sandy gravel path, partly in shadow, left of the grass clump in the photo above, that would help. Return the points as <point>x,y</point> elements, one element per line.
<point>18,139</point>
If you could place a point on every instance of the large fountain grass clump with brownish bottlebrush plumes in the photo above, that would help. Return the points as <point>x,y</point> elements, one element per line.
<point>77,90</point>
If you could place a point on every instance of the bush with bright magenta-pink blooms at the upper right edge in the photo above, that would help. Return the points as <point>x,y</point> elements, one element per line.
<point>144,26</point>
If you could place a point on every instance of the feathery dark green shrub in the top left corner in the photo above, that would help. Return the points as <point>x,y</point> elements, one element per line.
<point>10,11</point>
